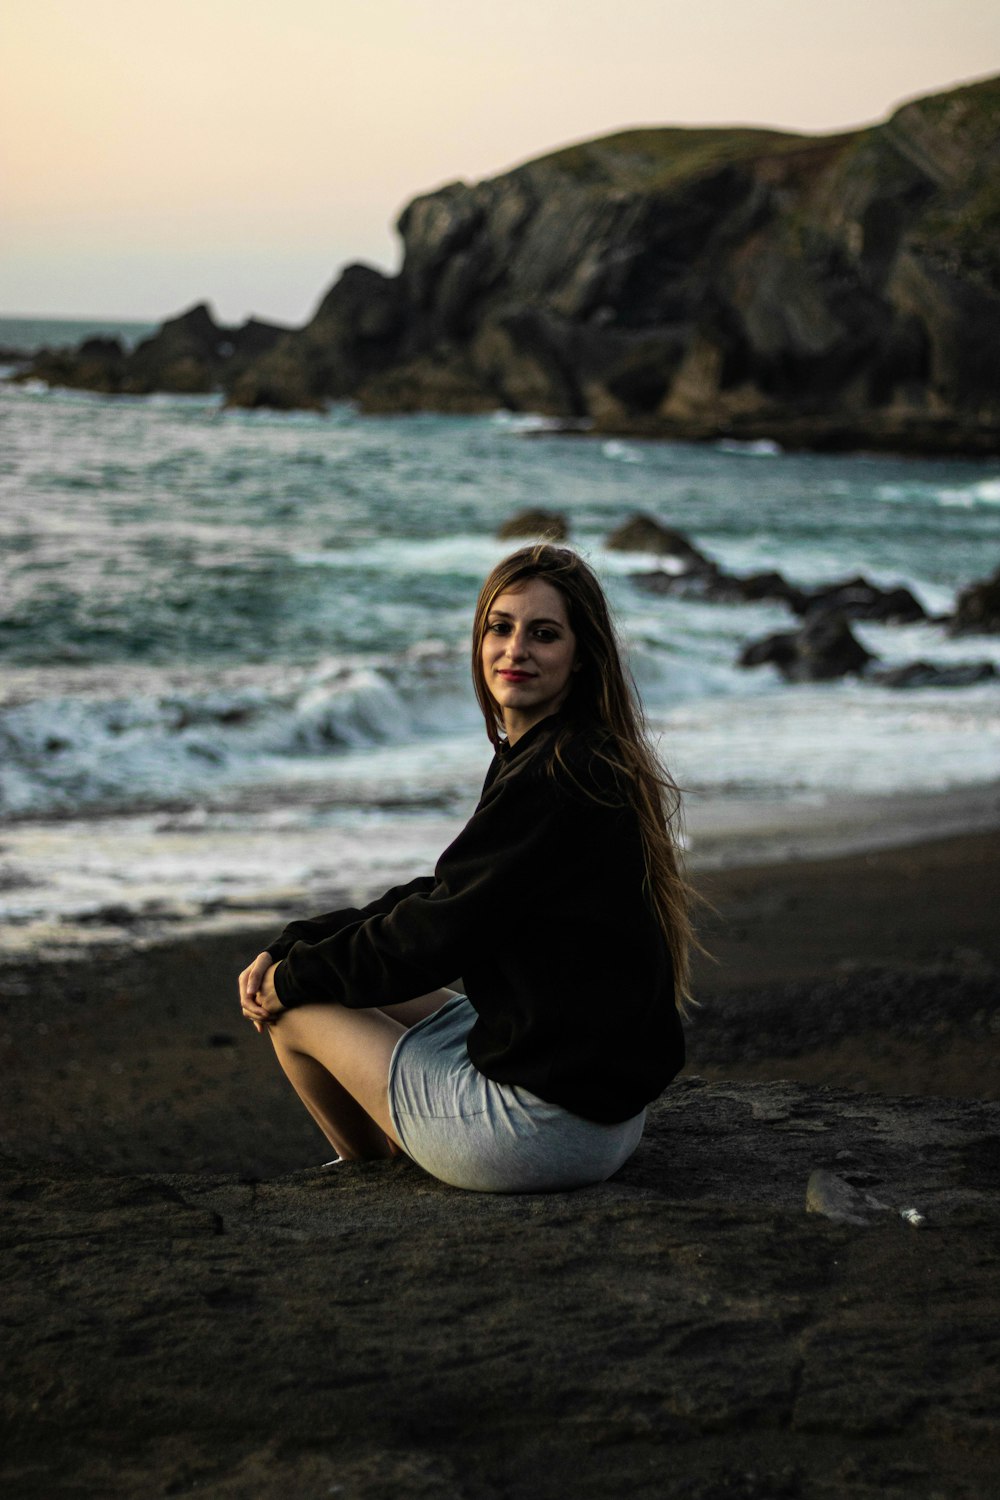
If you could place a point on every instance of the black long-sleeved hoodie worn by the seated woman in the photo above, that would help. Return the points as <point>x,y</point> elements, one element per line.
<point>539,905</point>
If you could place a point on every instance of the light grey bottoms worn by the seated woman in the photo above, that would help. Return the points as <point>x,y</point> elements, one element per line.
<point>491,1138</point>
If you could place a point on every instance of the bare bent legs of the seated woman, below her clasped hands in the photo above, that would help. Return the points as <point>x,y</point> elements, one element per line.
<point>338,1063</point>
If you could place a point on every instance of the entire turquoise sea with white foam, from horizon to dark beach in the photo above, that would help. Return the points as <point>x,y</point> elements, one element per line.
<point>235,644</point>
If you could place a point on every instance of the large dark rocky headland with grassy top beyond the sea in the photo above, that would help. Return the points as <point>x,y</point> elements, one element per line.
<point>824,292</point>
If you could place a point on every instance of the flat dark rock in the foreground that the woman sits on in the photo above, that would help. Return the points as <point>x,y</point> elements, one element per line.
<point>687,1330</point>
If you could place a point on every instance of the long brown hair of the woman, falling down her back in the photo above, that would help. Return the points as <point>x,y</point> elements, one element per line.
<point>603,694</point>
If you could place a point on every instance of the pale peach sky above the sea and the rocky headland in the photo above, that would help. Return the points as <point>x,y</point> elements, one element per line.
<point>154,155</point>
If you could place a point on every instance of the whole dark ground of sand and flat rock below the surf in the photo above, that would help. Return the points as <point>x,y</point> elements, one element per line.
<point>194,1307</point>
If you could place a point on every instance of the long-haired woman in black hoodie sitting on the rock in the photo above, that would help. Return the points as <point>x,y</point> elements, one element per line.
<point>561,905</point>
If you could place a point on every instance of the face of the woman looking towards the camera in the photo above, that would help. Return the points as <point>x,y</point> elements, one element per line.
<point>528,655</point>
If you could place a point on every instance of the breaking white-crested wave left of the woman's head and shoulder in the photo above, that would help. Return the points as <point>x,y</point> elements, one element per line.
<point>67,754</point>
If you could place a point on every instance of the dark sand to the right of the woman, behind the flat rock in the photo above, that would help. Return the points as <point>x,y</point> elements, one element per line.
<point>875,973</point>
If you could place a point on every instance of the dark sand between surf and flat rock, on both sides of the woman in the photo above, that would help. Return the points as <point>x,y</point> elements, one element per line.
<point>872,973</point>
